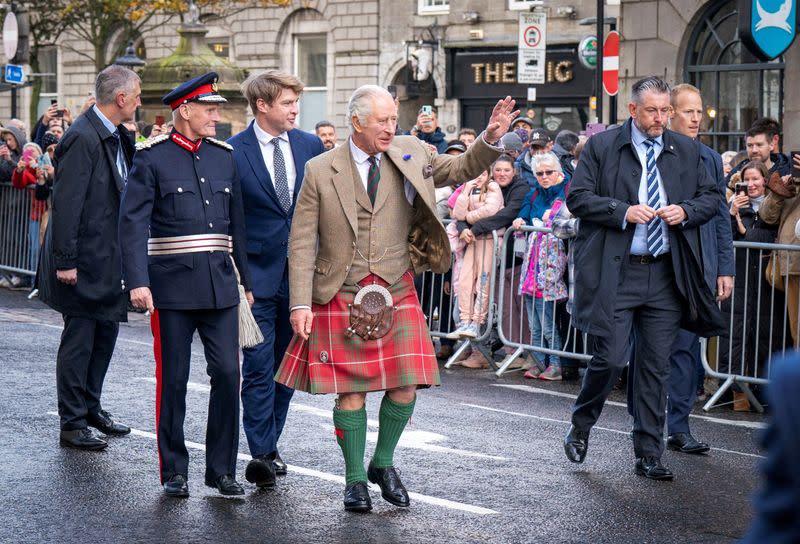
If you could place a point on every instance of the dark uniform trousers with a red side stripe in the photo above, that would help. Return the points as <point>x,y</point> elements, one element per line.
<point>219,332</point>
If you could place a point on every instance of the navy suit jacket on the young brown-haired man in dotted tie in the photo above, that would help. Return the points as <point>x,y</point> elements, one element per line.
<point>267,224</point>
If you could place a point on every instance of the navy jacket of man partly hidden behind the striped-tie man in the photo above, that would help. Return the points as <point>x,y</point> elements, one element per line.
<point>716,241</point>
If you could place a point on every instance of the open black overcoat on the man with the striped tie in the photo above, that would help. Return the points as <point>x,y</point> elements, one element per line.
<point>605,185</point>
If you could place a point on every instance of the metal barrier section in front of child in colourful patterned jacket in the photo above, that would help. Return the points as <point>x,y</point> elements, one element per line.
<point>555,337</point>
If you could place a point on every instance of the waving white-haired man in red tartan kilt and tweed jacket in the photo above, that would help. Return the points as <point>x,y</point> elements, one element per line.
<point>365,222</point>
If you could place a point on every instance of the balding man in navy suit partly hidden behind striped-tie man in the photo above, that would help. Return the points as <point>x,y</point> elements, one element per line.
<point>718,269</point>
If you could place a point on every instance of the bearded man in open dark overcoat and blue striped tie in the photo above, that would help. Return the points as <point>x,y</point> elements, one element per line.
<point>641,192</point>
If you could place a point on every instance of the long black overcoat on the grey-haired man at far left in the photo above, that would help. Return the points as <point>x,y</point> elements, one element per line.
<point>82,232</point>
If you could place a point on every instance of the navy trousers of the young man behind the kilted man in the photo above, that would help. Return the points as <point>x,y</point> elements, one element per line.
<point>265,403</point>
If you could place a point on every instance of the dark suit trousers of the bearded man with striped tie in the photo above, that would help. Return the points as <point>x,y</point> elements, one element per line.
<point>647,304</point>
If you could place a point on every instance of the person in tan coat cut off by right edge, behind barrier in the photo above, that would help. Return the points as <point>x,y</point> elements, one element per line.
<point>782,207</point>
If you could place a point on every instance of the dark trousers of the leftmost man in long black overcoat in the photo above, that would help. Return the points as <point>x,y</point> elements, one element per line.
<point>81,364</point>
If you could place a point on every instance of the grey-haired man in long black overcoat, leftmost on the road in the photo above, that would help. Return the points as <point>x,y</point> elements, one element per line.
<point>80,272</point>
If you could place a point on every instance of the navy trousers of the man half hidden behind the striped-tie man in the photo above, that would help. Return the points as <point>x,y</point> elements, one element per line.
<point>683,381</point>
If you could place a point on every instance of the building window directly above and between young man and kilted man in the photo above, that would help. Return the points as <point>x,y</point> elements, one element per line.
<point>311,66</point>
